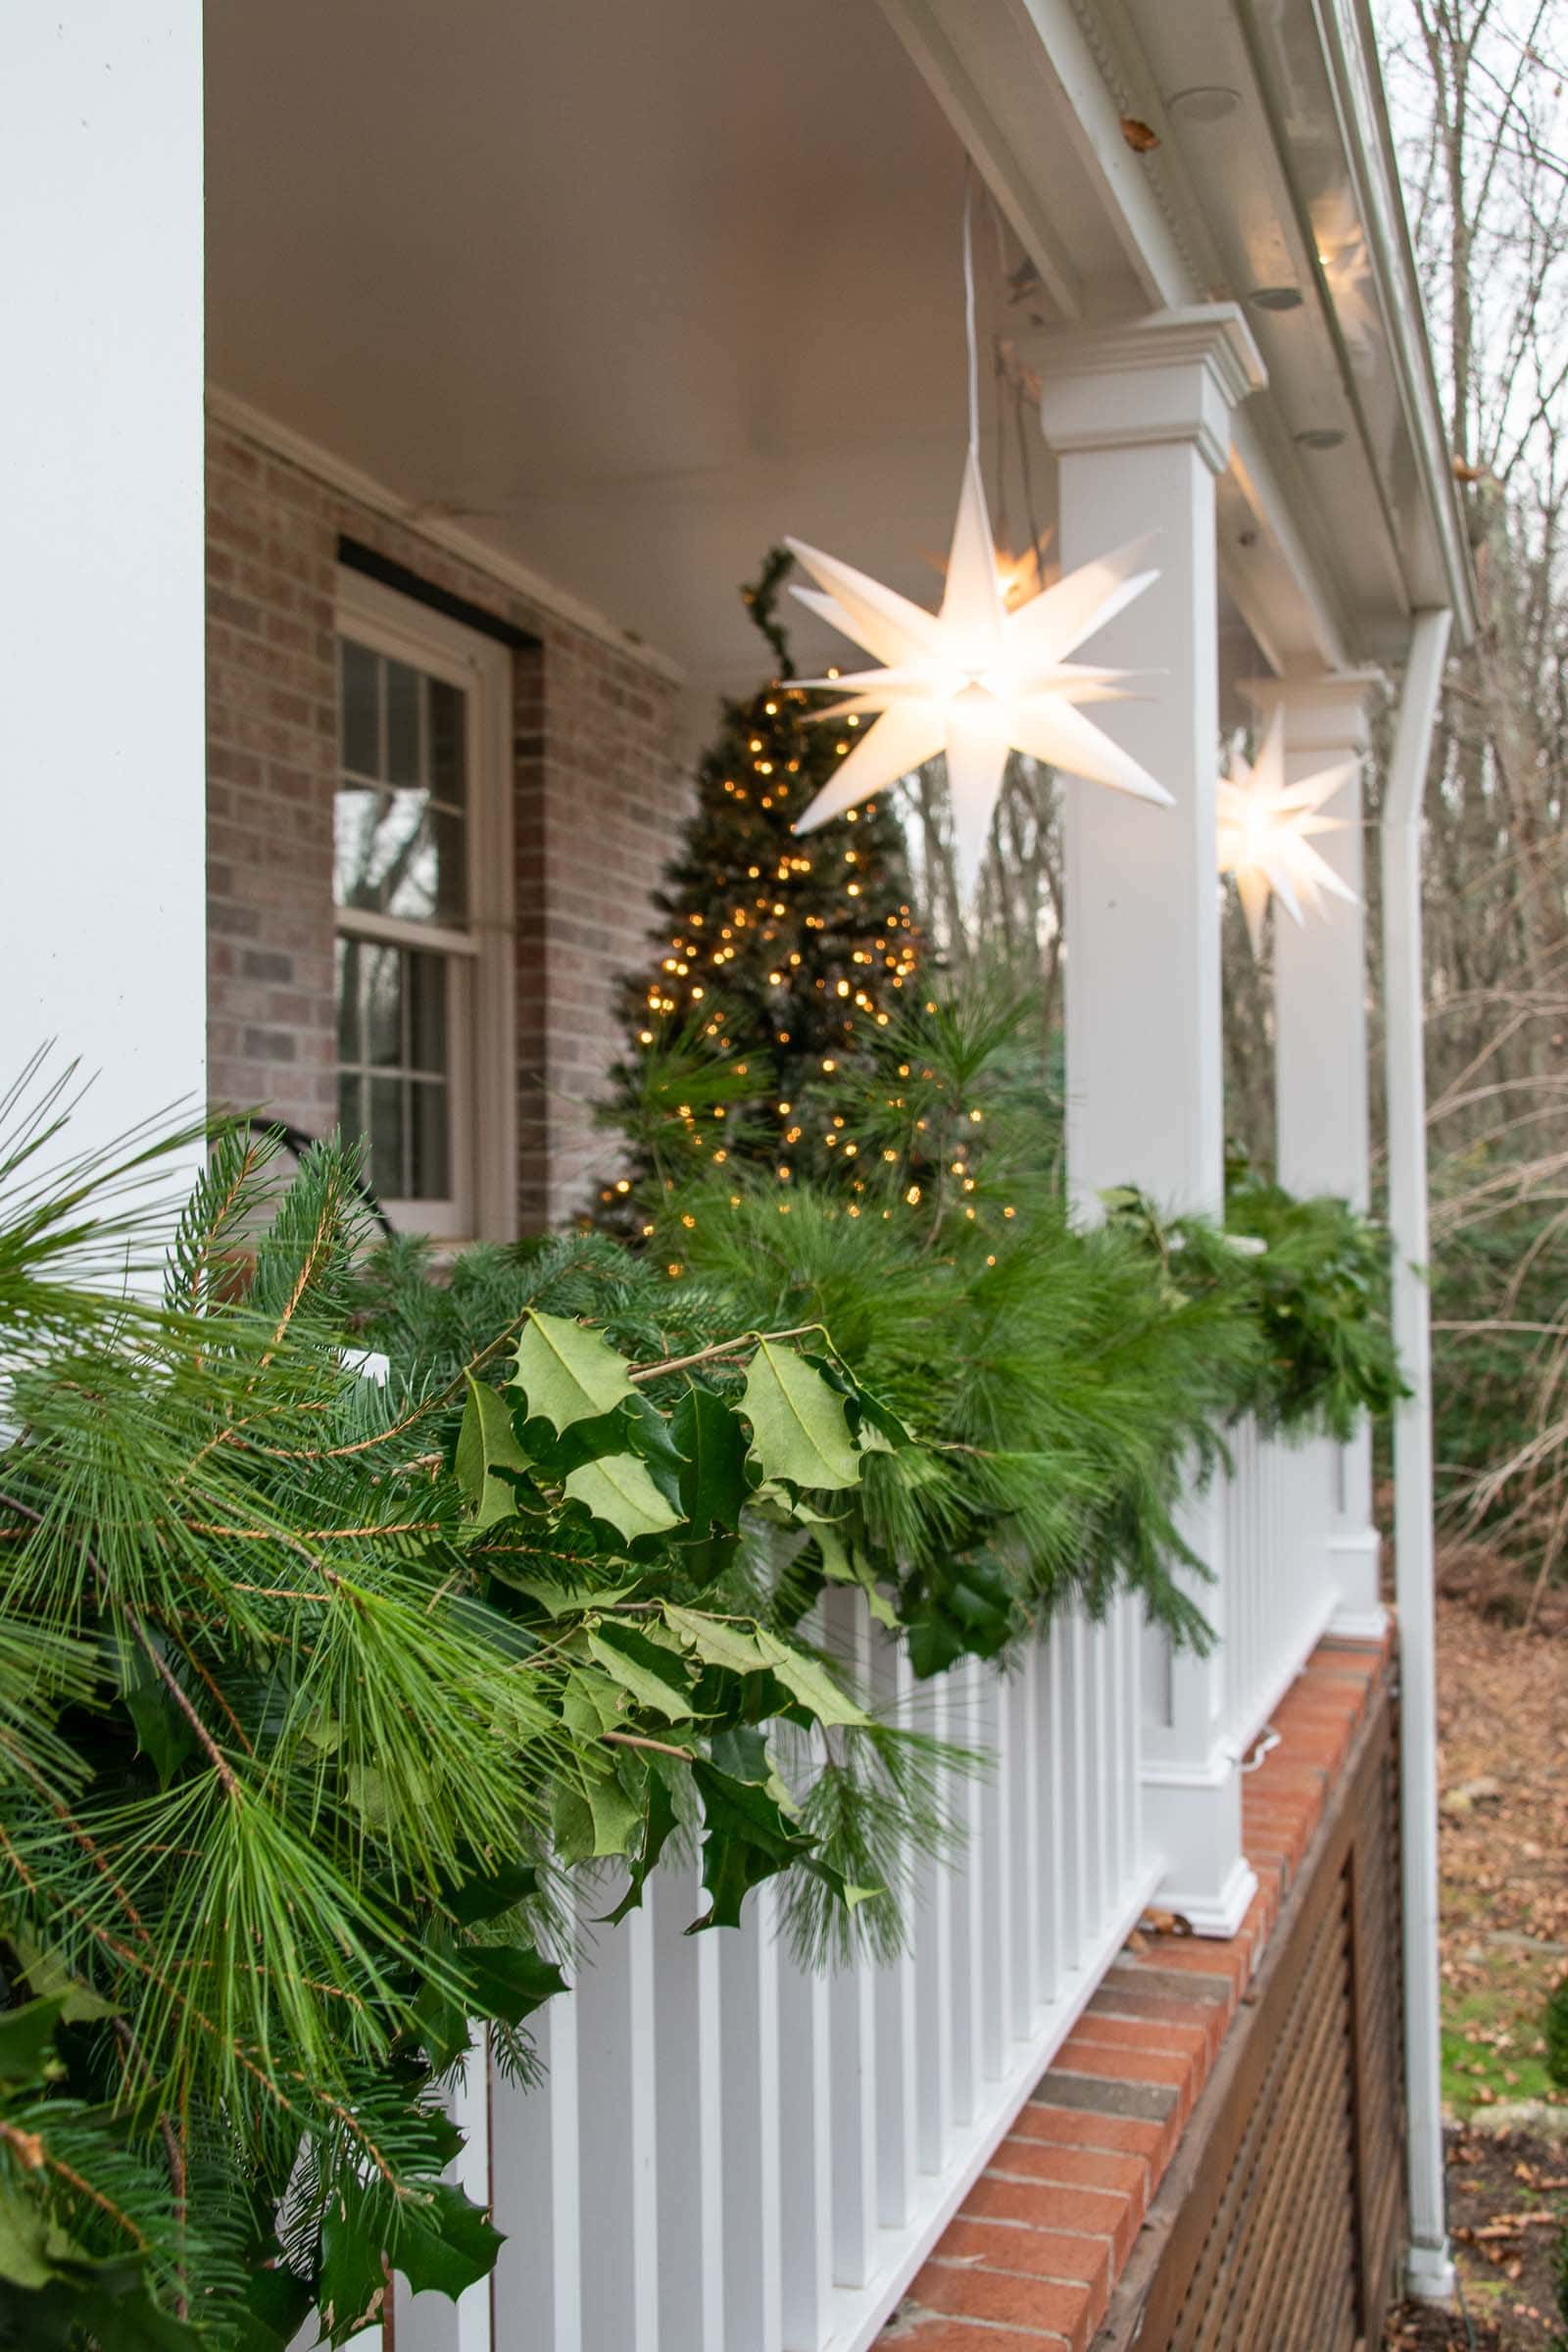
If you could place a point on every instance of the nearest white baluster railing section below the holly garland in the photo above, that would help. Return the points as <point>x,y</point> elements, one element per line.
<point>735,2156</point>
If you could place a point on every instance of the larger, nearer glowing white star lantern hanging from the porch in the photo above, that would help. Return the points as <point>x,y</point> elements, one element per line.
<point>974,681</point>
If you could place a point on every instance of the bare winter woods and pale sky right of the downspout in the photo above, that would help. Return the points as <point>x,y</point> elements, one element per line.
<point>1480,102</point>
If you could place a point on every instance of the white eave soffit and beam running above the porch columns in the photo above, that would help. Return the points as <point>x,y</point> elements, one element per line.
<point>1327,549</point>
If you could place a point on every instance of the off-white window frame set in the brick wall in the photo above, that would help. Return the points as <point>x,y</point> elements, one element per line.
<point>485,1001</point>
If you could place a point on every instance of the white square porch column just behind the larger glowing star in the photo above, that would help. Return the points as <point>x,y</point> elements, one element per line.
<point>1141,425</point>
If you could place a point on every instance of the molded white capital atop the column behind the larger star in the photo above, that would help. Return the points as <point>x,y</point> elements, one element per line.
<point>1165,377</point>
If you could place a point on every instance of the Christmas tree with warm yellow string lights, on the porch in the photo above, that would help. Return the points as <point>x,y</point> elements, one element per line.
<point>782,956</point>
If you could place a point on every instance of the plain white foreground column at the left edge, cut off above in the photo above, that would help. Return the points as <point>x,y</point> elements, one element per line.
<point>102,596</point>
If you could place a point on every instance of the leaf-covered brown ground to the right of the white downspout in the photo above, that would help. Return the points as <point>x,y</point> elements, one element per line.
<point>1503,1728</point>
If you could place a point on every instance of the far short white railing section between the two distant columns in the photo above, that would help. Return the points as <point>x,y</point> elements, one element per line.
<point>1280,1589</point>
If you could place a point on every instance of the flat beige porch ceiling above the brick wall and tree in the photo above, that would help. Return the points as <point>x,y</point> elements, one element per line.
<point>626,290</point>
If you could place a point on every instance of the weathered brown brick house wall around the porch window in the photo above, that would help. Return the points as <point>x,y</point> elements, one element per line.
<point>596,787</point>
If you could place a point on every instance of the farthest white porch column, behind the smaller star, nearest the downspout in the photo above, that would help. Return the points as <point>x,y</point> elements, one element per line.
<point>1320,1100</point>
